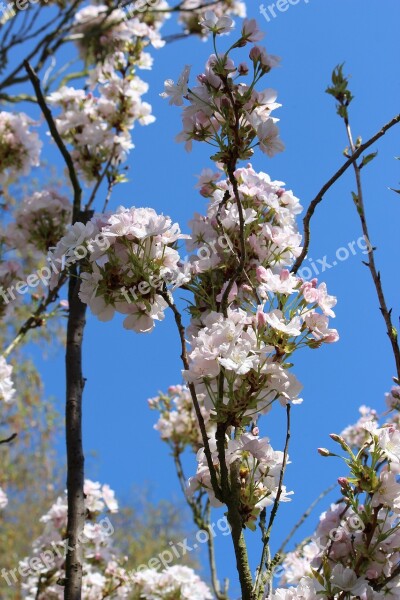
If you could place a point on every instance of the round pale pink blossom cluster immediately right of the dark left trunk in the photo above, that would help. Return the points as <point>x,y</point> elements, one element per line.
<point>131,271</point>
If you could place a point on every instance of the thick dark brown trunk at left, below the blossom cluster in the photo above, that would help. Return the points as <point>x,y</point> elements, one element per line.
<point>73,424</point>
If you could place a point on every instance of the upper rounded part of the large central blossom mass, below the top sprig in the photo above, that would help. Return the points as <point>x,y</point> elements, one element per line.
<point>270,213</point>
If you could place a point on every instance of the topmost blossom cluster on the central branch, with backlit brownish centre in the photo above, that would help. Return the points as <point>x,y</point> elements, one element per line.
<point>224,112</point>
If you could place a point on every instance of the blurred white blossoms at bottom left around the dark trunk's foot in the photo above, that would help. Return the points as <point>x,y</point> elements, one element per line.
<point>104,574</point>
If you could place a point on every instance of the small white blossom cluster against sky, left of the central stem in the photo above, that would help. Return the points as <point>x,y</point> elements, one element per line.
<point>178,422</point>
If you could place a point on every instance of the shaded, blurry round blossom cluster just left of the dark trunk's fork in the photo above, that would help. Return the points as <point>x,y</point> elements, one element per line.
<point>40,221</point>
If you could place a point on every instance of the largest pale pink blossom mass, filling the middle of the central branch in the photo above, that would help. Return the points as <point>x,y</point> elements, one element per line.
<point>271,312</point>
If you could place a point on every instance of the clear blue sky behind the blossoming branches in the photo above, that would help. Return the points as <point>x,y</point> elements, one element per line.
<point>124,369</point>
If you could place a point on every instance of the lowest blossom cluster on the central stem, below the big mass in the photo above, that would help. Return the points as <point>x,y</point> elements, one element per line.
<point>258,469</point>
